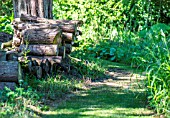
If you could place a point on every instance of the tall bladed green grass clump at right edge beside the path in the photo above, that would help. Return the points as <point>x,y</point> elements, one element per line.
<point>157,61</point>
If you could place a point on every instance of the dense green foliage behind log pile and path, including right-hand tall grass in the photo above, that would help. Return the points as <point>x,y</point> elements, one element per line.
<point>135,32</point>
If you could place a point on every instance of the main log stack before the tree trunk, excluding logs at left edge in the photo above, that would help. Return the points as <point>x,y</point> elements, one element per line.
<point>45,41</point>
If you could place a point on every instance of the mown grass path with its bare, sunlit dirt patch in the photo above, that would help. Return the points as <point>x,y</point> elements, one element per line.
<point>119,95</point>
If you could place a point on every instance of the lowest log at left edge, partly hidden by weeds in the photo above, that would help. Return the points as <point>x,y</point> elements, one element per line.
<point>10,85</point>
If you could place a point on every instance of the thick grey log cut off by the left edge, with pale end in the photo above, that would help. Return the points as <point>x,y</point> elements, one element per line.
<point>10,71</point>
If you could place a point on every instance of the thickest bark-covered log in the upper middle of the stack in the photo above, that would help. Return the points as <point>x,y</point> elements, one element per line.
<point>42,36</point>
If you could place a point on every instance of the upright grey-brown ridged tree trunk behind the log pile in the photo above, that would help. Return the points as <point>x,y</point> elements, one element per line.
<point>40,8</point>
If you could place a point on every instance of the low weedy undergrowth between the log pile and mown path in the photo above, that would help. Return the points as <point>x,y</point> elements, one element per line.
<point>34,93</point>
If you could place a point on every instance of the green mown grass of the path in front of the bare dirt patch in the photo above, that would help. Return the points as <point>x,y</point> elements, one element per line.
<point>103,101</point>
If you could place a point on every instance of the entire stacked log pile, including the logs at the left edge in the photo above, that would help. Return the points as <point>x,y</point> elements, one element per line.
<point>38,46</point>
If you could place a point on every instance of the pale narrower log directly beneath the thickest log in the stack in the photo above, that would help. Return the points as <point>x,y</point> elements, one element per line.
<point>40,50</point>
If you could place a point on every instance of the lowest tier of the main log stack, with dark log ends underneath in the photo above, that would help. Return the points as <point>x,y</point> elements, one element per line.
<point>48,64</point>
